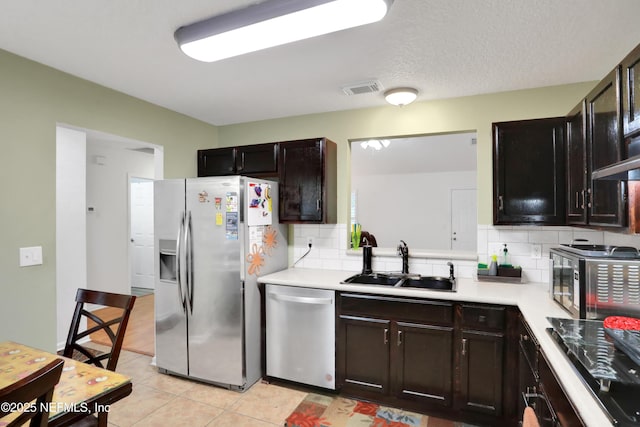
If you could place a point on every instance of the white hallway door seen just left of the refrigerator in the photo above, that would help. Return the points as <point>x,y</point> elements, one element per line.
<point>141,220</point>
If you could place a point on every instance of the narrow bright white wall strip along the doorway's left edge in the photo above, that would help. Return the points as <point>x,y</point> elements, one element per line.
<point>71,239</point>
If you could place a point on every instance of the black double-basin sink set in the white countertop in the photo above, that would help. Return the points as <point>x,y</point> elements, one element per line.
<point>399,280</point>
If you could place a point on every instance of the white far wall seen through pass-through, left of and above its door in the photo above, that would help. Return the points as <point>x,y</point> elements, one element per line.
<point>415,207</point>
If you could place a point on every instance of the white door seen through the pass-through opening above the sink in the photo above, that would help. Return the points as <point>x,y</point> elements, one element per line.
<point>464,221</point>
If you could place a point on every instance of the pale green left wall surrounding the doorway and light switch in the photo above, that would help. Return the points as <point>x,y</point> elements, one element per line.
<point>33,99</point>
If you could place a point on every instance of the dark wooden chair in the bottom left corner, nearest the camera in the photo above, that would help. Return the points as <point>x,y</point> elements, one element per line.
<point>37,387</point>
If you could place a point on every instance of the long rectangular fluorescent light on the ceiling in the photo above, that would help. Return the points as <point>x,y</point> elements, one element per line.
<point>272,23</point>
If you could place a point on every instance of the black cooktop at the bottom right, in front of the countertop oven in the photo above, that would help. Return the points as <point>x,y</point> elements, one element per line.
<point>611,375</point>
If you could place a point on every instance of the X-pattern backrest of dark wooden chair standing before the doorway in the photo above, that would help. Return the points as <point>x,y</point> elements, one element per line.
<point>85,296</point>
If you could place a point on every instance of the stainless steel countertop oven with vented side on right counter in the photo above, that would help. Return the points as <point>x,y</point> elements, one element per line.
<point>596,281</point>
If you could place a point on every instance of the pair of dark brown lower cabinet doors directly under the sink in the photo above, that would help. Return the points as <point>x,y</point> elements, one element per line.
<point>384,357</point>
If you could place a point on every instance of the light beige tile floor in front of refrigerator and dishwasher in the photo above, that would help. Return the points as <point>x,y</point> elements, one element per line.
<point>159,399</point>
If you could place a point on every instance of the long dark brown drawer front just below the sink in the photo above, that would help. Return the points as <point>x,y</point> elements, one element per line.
<point>407,309</point>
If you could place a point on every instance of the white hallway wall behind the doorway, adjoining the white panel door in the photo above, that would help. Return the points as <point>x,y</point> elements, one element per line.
<point>107,226</point>
